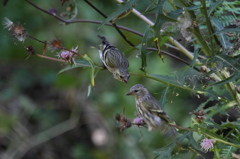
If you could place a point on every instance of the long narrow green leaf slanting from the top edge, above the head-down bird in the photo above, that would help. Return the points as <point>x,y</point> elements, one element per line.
<point>123,8</point>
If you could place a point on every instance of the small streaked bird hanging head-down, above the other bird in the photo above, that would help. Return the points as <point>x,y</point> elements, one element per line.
<point>114,60</point>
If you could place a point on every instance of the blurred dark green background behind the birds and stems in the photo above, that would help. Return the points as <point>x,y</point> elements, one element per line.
<point>35,99</point>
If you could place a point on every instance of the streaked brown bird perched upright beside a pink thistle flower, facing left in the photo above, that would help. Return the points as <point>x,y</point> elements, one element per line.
<point>150,110</point>
